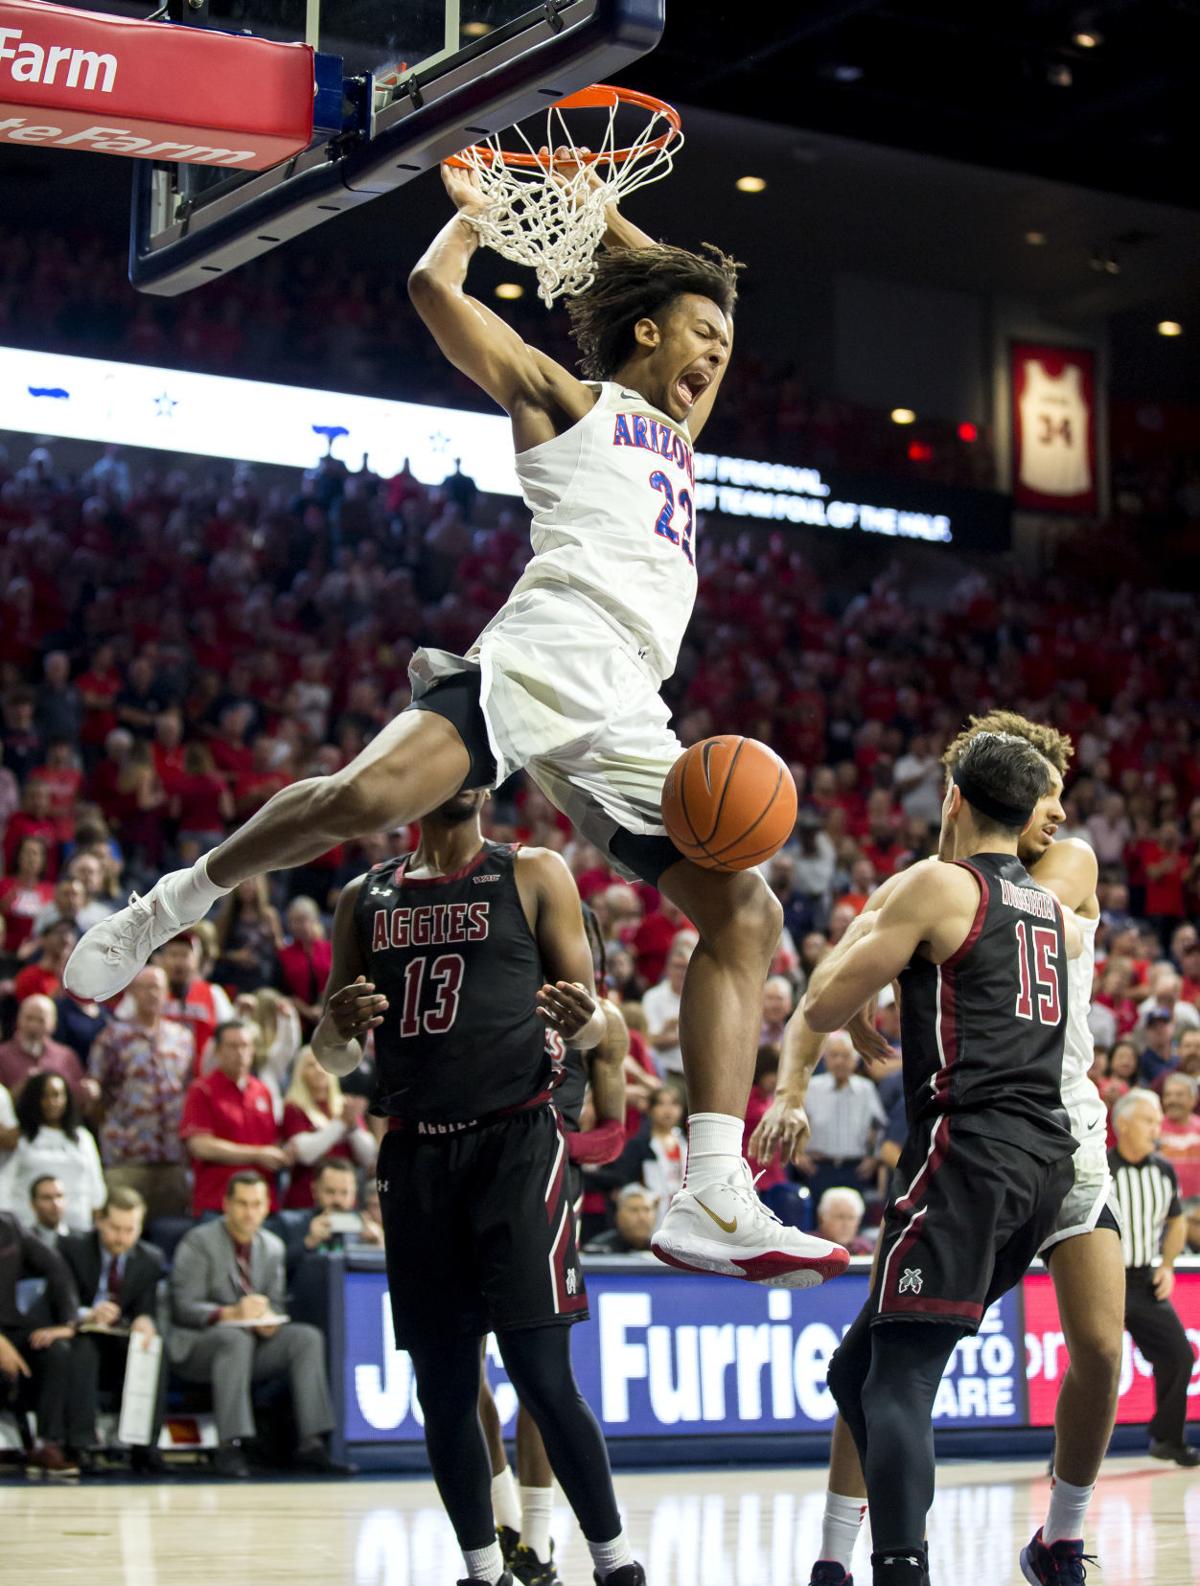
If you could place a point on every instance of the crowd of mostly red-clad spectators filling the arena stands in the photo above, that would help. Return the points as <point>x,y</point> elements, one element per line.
<point>178,643</point>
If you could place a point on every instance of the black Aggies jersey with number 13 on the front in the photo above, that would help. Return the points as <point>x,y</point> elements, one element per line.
<point>461,968</point>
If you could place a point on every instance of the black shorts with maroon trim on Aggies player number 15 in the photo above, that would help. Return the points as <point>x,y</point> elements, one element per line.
<point>965,1220</point>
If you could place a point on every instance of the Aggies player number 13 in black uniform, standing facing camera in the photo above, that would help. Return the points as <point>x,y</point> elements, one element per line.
<point>459,957</point>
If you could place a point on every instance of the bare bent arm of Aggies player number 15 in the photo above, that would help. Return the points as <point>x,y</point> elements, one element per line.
<point>931,903</point>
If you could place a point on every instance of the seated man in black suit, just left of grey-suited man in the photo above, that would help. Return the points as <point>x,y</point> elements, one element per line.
<point>118,1276</point>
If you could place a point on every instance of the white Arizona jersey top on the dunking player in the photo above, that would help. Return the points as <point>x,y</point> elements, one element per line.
<point>614,519</point>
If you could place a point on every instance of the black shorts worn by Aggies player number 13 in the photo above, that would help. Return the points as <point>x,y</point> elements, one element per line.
<point>480,1230</point>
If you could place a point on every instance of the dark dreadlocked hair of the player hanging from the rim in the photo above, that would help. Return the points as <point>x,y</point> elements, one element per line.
<point>640,283</point>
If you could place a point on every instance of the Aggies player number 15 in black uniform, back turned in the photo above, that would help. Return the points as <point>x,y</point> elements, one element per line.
<point>980,952</point>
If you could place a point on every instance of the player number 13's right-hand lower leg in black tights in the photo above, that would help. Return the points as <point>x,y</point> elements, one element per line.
<point>538,1362</point>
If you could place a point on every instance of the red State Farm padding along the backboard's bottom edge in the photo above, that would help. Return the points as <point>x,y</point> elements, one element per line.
<point>109,85</point>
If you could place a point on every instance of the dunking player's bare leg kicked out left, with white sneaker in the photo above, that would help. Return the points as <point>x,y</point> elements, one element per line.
<point>416,764</point>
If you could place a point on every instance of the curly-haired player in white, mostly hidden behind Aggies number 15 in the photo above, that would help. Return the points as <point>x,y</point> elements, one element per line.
<point>1083,1249</point>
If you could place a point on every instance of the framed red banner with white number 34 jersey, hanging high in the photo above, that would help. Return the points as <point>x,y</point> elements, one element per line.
<point>1053,429</point>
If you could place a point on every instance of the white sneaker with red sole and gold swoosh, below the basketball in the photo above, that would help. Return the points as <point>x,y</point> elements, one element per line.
<point>724,1227</point>
